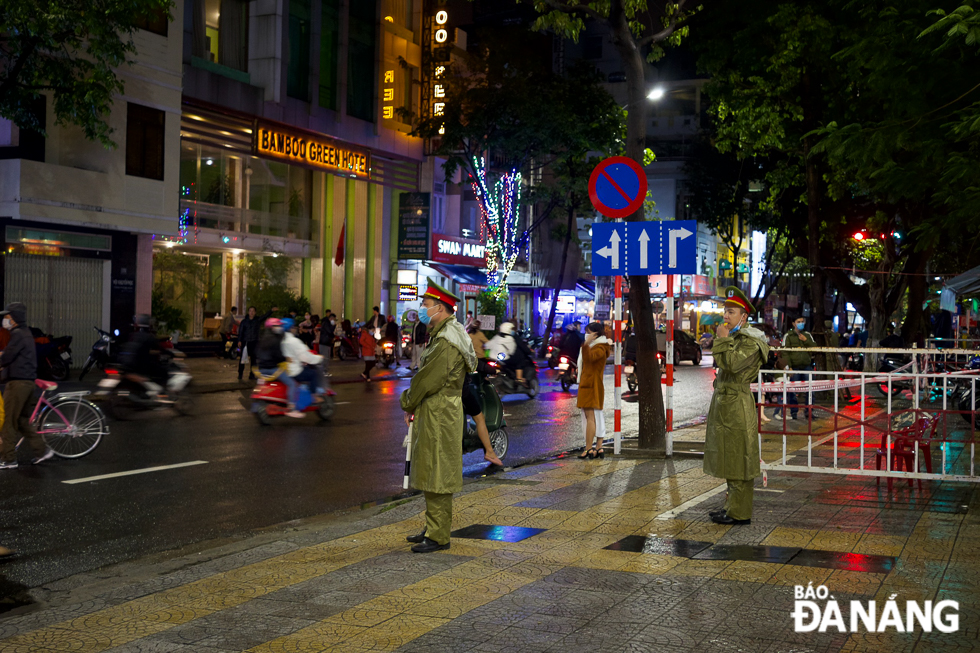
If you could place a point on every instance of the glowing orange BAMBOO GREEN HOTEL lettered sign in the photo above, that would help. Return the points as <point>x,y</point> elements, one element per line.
<point>309,150</point>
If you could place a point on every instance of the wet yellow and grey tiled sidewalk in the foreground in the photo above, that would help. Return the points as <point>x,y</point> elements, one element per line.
<point>616,564</point>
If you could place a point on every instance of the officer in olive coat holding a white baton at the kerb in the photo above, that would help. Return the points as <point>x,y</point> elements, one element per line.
<point>435,399</point>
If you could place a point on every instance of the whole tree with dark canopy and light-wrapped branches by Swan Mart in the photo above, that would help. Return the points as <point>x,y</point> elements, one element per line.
<point>507,116</point>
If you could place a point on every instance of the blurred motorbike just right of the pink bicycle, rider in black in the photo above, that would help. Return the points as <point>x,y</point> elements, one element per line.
<point>128,394</point>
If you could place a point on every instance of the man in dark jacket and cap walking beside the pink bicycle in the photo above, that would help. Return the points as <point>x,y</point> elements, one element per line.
<point>19,361</point>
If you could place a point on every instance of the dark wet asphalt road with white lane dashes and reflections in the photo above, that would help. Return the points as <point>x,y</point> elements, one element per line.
<point>249,477</point>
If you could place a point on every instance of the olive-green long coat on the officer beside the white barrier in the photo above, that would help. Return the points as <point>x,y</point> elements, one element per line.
<point>731,443</point>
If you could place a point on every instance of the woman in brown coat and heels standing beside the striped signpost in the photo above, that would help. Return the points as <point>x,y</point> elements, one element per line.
<point>592,359</point>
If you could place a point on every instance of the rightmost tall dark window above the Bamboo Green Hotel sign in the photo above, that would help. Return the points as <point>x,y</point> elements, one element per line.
<point>361,79</point>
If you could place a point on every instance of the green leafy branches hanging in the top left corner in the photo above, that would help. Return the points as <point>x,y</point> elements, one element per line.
<point>71,50</point>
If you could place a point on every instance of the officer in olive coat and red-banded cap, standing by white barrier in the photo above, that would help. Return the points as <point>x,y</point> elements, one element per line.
<point>731,445</point>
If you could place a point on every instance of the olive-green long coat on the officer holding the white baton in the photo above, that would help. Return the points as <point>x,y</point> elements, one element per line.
<point>435,397</point>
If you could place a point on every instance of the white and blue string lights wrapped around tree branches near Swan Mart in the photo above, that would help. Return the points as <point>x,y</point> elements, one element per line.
<point>500,212</point>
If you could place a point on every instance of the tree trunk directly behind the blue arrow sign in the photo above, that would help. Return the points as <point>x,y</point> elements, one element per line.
<point>652,421</point>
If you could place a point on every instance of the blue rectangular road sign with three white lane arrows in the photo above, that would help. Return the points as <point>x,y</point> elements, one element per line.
<point>643,248</point>
